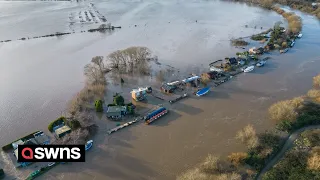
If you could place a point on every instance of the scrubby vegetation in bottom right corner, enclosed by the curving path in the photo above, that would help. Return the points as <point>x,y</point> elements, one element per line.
<point>300,162</point>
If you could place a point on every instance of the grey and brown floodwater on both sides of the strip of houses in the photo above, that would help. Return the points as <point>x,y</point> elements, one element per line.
<point>38,77</point>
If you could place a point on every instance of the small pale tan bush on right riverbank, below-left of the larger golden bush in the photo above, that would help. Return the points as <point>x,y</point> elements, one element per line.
<point>248,136</point>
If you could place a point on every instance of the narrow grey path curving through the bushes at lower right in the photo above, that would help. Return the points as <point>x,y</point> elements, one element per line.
<point>284,149</point>
